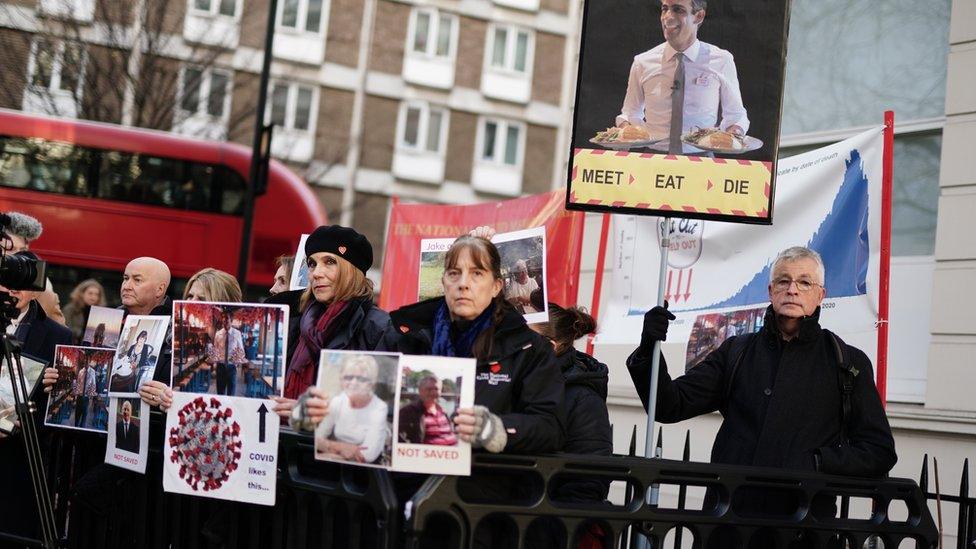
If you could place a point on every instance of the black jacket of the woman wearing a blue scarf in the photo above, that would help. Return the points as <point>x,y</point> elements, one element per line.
<point>520,381</point>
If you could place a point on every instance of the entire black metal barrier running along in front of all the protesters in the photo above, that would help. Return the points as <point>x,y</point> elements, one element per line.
<point>509,501</point>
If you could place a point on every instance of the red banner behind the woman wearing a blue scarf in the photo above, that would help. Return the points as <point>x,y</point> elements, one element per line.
<point>411,223</point>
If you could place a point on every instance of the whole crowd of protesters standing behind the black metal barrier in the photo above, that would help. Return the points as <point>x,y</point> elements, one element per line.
<point>534,392</point>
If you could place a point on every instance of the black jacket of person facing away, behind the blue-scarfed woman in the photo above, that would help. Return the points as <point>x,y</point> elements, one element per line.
<point>587,420</point>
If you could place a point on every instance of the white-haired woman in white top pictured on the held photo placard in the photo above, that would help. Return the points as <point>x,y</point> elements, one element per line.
<point>355,429</point>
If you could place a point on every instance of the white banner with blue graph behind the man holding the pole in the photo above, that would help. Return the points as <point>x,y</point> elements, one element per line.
<point>829,199</point>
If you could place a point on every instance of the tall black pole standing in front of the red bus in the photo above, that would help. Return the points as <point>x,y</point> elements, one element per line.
<point>254,171</point>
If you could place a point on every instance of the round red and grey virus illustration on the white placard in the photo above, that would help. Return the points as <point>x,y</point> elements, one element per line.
<point>206,444</point>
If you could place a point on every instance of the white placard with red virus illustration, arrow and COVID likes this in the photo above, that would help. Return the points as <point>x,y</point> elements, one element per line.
<point>221,447</point>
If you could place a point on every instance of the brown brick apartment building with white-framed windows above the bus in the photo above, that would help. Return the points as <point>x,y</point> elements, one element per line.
<point>449,101</point>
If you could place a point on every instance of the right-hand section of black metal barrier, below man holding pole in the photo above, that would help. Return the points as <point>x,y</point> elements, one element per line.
<point>742,506</point>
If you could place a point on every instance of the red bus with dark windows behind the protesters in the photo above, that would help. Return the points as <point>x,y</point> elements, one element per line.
<point>107,193</point>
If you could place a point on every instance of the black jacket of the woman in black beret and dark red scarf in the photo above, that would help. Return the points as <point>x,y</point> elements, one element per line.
<point>362,330</point>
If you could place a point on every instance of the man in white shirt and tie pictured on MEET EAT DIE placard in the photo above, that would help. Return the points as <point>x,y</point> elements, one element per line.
<point>699,77</point>
